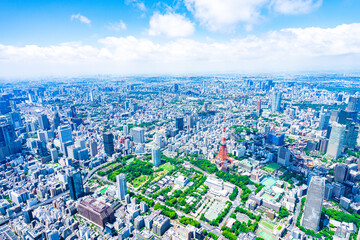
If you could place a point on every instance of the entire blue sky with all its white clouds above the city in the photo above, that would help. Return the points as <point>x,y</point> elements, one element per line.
<point>185,36</point>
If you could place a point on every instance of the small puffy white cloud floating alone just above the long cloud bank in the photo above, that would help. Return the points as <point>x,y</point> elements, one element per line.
<point>170,25</point>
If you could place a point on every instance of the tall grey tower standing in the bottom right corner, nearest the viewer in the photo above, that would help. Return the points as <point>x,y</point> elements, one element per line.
<point>313,204</point>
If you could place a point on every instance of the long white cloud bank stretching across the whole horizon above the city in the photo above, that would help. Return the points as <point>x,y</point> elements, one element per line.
<point>292,49</point>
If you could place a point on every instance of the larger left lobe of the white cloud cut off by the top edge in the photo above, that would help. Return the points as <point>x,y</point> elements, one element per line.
<point>220,14</point>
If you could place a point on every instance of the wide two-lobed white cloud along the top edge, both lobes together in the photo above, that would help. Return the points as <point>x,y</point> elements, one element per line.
<point>226,14</point>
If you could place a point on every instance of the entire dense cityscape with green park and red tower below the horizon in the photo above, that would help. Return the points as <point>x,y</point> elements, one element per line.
<point>245,157</point>
